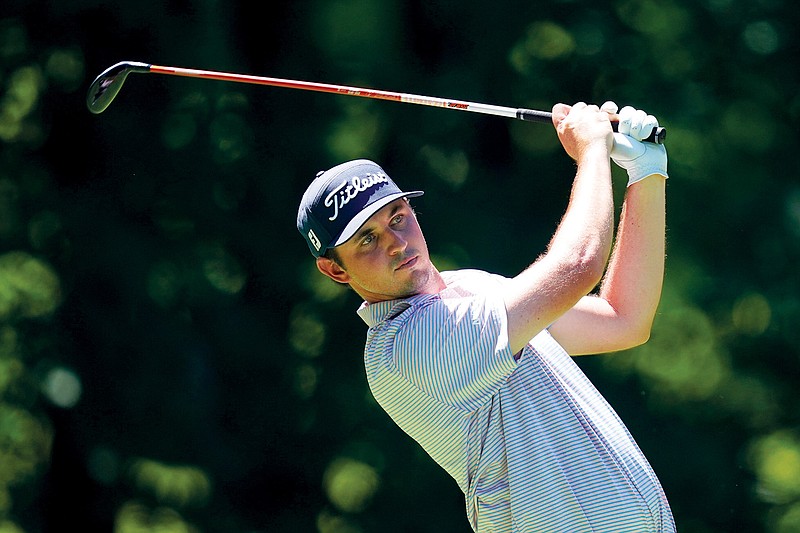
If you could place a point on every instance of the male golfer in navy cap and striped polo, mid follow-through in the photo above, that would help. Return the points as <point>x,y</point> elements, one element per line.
<point>475,366</point>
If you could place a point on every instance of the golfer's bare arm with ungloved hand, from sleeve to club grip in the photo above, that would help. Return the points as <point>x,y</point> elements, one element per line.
<point>577,254</point>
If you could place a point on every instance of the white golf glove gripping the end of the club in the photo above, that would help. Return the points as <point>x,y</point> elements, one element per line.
<point>639,159</point>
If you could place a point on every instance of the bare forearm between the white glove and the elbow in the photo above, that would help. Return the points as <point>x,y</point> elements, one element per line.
<point>633,281</point>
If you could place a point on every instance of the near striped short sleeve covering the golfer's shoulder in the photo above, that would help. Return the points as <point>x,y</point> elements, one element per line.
<point>456,350</point>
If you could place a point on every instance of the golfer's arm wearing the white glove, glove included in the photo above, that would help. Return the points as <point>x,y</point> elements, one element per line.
<point>620,316</point>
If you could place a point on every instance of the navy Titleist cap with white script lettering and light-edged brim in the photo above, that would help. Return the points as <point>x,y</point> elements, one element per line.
<point>340,200</point>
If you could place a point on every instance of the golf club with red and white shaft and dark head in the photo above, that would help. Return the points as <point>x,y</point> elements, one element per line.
<point>106,86</point>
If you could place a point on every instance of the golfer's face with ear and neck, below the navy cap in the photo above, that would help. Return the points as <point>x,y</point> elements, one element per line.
<point>387,258</point>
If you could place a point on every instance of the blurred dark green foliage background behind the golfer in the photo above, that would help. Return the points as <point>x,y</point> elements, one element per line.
<point>169,359</point>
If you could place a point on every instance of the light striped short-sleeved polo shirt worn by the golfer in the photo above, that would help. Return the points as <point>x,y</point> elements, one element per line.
<point>529,440</point>
